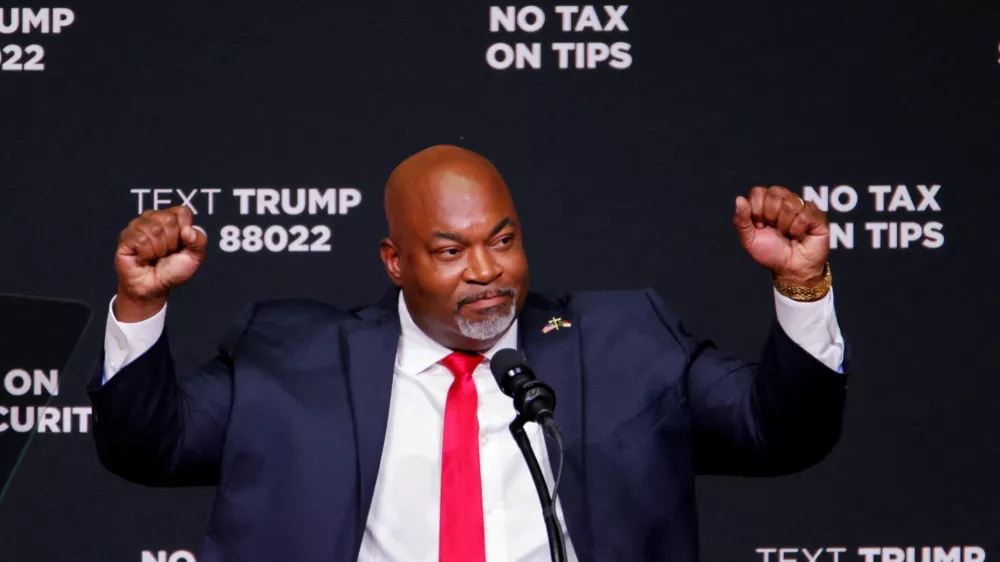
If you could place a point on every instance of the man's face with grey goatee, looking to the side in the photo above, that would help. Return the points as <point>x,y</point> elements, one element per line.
<point>463,269</point>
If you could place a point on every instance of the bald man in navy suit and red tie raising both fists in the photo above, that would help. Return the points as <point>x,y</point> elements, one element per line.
<point>380,434</point>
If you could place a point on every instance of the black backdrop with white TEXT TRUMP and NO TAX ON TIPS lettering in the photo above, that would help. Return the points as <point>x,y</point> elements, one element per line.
<point>624,177</point>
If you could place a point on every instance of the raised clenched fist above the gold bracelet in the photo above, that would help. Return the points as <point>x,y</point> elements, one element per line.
<point>784,234</point>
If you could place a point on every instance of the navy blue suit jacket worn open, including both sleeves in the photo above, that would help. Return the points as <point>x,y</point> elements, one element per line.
<point>289,421</point>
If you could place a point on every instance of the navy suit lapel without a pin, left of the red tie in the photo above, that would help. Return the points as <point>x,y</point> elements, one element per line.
<point>371,351</point>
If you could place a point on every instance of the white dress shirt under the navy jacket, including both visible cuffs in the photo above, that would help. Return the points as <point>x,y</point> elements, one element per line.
<point>403,520</point>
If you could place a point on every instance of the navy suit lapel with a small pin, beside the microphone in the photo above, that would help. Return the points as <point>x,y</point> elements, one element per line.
<point>555,357</point>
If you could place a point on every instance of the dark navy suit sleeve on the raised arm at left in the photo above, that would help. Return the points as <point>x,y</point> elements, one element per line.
<point>157,428</point>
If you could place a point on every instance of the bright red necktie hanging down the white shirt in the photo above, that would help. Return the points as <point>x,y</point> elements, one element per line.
<point>462,534</point>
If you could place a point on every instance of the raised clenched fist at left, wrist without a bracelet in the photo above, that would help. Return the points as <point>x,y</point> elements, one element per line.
<point>159,250</point>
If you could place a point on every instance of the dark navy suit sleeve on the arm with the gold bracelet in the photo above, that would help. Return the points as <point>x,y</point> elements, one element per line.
<point>774,417</point>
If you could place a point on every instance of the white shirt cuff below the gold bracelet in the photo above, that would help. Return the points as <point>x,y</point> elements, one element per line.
<point>813,326</point>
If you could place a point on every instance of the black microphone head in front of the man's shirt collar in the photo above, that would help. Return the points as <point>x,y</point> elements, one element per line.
<point>534,400</point>
